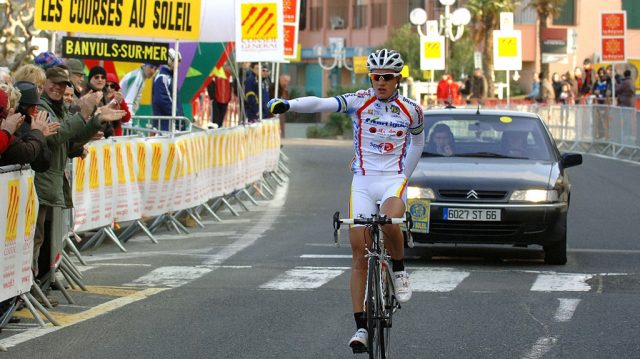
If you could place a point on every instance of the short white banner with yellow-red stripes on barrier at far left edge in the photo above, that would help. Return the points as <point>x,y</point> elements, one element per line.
<point>18,215</point>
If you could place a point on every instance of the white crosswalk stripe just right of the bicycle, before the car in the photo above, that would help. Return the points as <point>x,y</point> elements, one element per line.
<point>436,280</point>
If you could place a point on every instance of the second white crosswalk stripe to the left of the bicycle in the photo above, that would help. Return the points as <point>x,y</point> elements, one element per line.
<point>172,277</point>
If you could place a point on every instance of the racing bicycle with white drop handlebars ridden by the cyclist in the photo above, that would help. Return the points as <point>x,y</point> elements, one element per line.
<point>379,300</point>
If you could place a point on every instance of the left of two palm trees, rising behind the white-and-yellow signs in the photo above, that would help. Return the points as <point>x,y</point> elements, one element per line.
<point>485,17</point>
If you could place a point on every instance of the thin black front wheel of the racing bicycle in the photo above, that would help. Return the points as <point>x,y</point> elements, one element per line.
<point>375,312</point>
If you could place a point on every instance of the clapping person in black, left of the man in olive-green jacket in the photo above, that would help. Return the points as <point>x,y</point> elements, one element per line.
<point>29,145</point>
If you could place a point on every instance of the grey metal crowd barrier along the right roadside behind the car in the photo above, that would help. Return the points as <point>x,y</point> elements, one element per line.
<point>602,129</point>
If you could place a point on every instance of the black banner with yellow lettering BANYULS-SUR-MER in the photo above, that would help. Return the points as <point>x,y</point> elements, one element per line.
<point>114,50</point>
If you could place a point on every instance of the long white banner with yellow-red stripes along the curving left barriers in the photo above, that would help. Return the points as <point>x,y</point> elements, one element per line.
<point>125,178</point>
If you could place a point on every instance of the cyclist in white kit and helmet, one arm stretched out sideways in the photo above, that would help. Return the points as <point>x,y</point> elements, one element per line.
<point>388,141</point>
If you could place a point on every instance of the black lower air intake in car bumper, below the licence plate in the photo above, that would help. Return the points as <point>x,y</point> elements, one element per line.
<point>473,229</point>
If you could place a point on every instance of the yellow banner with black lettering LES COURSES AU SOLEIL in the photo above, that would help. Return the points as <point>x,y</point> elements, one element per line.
<point>169,19</point>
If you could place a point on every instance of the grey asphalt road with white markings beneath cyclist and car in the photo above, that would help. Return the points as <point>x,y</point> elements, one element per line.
<point>271,284</point>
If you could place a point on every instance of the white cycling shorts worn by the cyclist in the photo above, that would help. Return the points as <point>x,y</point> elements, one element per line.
<point>367,190</point>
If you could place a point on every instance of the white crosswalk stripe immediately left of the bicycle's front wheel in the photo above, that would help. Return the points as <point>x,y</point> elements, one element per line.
<point>303,278</point>
